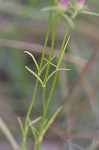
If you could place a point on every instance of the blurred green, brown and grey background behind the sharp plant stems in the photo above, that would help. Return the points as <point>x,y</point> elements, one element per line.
<point>23,27</point>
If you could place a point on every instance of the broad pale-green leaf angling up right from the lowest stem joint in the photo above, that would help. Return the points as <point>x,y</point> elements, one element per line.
<point>52,119</point>
